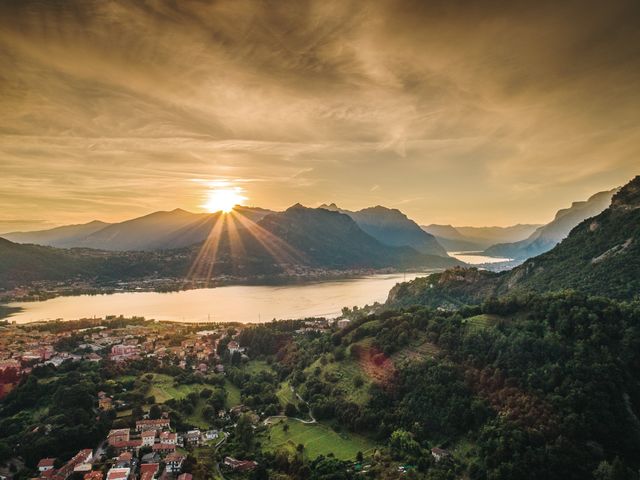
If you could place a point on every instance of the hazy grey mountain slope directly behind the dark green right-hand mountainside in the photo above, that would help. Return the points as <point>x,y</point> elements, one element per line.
<point>549,235</point>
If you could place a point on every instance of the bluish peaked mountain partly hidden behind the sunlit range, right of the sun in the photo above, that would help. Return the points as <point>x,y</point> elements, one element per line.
<point>393,228</point>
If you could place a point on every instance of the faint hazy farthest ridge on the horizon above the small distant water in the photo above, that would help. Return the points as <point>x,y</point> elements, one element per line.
<point>477,238</point>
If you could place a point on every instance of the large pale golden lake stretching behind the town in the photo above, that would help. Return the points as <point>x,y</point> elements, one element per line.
<point>247,304</point>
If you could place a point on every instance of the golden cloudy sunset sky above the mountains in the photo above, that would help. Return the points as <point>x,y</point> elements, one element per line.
<point>455,112</point>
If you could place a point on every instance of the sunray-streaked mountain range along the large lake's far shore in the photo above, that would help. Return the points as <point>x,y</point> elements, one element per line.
<point>247,242</point>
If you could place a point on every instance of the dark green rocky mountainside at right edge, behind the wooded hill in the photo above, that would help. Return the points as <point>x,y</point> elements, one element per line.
<point>600,256</point>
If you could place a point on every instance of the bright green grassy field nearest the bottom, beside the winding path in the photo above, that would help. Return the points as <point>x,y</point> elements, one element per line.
<point>317,439</point>
